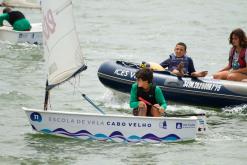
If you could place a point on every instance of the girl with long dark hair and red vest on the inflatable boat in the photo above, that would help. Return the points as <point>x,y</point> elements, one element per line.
<point>236,69</point>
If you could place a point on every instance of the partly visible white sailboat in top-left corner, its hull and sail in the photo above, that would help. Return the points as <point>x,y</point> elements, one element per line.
<point>34,36</point>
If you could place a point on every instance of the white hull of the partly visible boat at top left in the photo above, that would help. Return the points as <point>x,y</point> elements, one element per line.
<point>34,36</point>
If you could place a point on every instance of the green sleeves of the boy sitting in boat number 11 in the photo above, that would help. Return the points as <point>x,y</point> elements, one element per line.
<point>134,103</point>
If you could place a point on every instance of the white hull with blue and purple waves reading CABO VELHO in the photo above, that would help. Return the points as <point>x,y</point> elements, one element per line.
<point>113,127</point>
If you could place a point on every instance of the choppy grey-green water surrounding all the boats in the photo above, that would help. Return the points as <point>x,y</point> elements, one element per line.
<point>133,30</point>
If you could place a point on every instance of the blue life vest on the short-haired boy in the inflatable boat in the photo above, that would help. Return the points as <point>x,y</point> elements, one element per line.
<point>175,61</point>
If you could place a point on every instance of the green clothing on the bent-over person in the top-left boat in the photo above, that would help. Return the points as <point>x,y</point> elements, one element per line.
<point>19,25</point>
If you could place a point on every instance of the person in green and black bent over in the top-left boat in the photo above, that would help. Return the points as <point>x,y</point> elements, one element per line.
<point>15,19</point>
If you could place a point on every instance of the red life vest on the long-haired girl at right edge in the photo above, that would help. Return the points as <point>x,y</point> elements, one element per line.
<point>241,57</point>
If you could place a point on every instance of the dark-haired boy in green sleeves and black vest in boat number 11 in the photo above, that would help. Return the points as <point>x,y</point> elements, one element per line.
<point>146,99</point>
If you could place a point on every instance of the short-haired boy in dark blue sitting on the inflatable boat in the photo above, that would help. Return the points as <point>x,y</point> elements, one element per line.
<point>180,64</point>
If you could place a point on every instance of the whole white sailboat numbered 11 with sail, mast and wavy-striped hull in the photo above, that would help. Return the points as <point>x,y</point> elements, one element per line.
<point>65,60</point>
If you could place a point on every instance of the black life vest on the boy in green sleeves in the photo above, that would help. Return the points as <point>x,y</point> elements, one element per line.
<point>148,96</point>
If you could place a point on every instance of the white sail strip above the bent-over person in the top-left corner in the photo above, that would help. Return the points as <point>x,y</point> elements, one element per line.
<point>33,4</point>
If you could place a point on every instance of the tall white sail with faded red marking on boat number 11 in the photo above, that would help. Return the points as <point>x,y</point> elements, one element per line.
<point>61,44</point>
